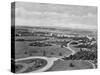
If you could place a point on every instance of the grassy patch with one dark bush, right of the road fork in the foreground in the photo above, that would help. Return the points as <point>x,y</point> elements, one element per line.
<point>70,65</point>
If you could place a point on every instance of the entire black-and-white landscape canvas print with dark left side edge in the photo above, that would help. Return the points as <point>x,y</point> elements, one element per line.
<point>53,37</point>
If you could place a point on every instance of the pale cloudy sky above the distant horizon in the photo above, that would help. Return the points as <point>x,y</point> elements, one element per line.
<point>55,15</point>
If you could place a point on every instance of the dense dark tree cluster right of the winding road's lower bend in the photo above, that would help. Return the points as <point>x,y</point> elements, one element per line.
<point>83,55</point>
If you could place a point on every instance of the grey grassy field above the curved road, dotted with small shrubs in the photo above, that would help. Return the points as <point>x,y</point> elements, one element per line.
<point>22,49</point>
